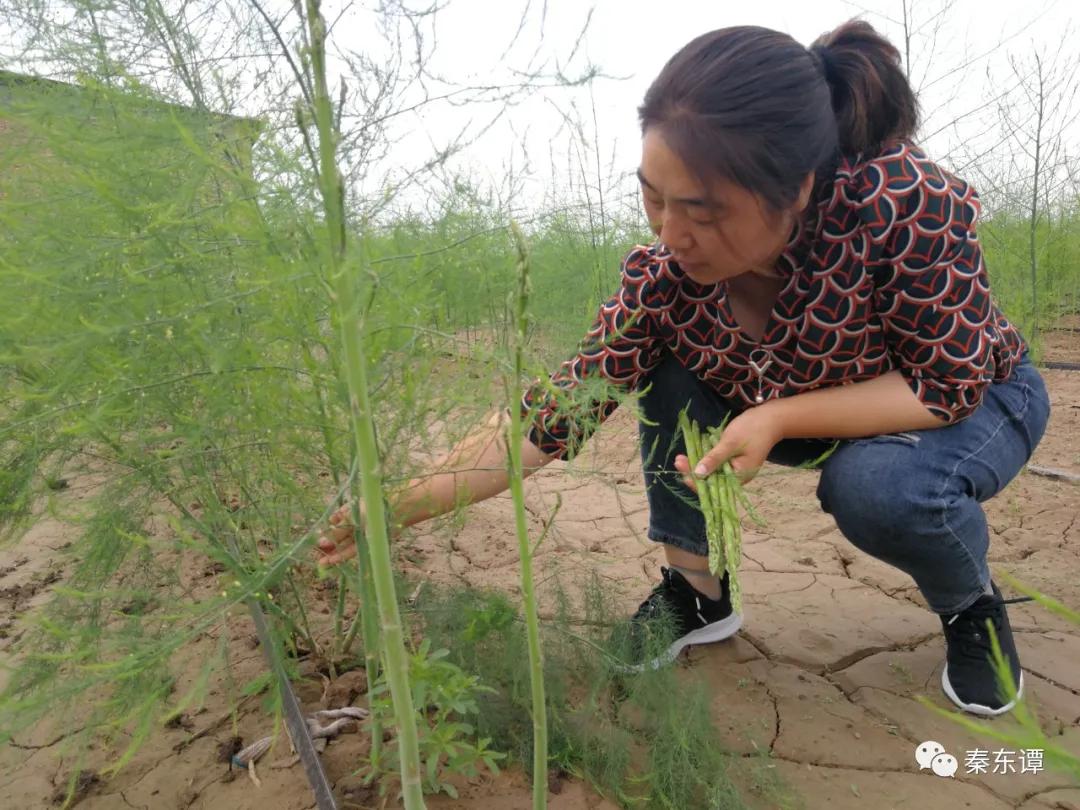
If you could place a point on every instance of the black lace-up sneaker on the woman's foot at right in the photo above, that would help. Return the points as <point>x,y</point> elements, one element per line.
<point>969,678</point>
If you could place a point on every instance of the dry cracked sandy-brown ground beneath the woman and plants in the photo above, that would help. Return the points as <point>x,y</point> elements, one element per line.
<point>825,677</point>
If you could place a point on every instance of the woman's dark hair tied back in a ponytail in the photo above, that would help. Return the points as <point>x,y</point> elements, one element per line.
<point>753,106</point>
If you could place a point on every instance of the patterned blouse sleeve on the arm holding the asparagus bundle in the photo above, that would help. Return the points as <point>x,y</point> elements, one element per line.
<point>933,291</point>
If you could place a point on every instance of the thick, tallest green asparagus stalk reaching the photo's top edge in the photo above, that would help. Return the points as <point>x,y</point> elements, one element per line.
<point>347,303</point>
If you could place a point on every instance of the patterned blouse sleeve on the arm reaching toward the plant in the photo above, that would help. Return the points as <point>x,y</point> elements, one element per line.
<point>618,350</point>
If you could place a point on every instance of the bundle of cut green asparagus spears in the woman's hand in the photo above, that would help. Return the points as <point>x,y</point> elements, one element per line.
<point>721,493</point>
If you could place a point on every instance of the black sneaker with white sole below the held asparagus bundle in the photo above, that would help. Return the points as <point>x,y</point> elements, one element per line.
<point>676,616</point>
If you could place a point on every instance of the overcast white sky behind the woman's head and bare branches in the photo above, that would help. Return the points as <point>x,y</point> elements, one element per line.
<point>961,65</point>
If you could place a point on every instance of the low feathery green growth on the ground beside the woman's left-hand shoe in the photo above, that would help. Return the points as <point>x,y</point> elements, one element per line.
<point>647,740</point>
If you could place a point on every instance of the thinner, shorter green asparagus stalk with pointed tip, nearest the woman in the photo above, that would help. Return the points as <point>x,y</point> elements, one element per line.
<point>524,549</point>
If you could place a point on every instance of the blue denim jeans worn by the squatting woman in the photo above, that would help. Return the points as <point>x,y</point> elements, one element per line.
<point>909,499</point>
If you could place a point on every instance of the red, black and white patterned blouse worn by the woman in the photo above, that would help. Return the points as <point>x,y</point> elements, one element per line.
<point>889,275</point>
